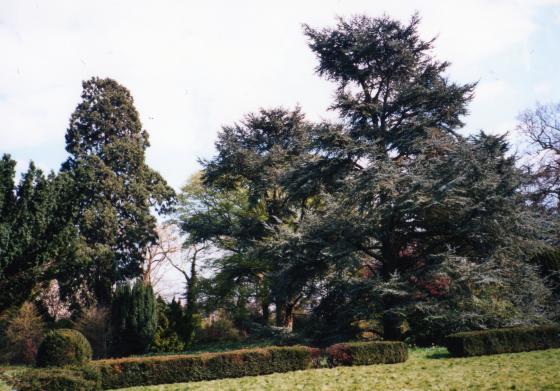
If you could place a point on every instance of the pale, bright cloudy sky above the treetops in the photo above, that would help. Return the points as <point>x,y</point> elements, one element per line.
<point>194,66</point>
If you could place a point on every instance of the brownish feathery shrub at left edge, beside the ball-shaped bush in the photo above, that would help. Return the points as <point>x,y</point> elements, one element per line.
<point>23,333</point>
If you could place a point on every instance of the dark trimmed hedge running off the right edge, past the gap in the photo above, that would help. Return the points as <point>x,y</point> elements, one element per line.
<point>509,340</point>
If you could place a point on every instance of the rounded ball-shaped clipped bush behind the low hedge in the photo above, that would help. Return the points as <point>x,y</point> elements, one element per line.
<point>63,347</point>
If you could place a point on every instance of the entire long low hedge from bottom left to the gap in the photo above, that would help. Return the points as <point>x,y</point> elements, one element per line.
<point>143,371</point>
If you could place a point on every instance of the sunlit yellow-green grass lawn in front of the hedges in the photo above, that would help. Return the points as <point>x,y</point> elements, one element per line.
<point>426,369</point>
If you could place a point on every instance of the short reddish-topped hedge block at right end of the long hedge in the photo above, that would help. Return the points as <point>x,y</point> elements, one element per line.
<point>367,353</point>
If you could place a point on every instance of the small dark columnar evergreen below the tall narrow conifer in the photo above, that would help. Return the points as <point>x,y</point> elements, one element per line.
<point>133,319</point>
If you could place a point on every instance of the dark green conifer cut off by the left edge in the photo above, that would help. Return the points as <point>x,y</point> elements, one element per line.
<point>33,233</point>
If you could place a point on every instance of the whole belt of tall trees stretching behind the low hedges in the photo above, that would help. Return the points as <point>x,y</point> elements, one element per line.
<point>387,223</point>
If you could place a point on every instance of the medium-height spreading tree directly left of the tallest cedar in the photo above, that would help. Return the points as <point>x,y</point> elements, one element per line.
<point>252,159</point>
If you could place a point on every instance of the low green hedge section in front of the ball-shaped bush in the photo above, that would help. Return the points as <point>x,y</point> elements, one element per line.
<point>58,379</point>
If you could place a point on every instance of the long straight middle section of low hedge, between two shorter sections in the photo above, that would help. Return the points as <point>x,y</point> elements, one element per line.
<point>130,372</point>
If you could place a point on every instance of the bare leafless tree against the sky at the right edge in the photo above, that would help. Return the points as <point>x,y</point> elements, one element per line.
<point>542,126</point>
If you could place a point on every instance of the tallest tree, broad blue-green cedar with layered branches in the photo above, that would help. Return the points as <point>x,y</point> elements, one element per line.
<point>403,193</point>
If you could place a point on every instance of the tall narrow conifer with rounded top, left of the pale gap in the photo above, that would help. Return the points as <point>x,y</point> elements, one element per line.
<point>112,190</point>
